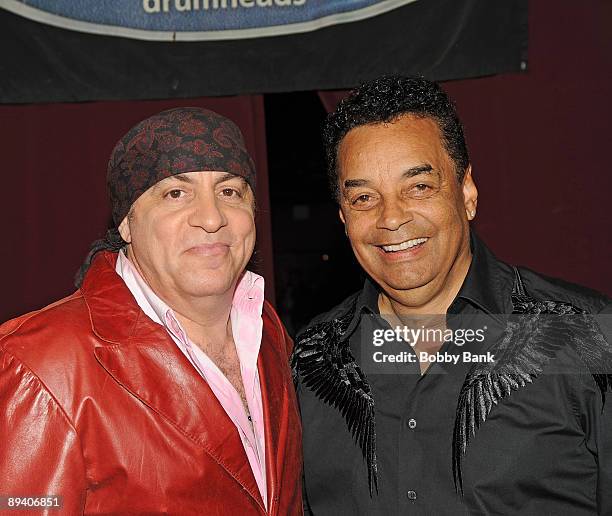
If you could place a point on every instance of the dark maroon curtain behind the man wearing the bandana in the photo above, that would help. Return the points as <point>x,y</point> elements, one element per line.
<point>55,204</point>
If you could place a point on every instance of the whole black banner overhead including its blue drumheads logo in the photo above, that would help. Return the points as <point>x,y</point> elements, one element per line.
<point>79,50</point>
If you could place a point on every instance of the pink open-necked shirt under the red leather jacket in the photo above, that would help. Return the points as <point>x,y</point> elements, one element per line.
<point>247,324</point>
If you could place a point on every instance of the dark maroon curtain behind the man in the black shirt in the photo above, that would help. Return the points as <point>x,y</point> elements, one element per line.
<point>540,143</point>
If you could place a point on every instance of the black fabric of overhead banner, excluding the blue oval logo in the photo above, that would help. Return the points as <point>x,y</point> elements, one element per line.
<point>441,39</point>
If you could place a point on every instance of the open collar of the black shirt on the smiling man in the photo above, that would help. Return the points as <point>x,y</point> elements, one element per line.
<point>487,285</point>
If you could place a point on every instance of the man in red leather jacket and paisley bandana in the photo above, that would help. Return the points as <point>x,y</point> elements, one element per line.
<point>162,384</point>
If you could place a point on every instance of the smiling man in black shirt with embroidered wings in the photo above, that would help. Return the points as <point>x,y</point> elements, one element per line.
<point>513,419</point>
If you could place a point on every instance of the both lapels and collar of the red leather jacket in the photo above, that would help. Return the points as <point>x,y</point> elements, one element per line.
<point>140,355</point>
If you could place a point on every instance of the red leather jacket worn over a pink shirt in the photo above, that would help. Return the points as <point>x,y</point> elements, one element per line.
<point>99,406</point>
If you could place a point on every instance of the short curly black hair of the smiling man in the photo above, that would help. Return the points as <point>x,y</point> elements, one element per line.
<point>384,100</point>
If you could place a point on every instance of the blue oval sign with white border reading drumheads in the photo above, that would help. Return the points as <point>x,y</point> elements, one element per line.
<point>198,20</point>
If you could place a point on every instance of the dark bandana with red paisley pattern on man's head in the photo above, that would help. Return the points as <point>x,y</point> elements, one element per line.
<point>174,142</point>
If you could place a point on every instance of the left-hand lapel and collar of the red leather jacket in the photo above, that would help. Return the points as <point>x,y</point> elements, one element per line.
<point>140,355</point>
